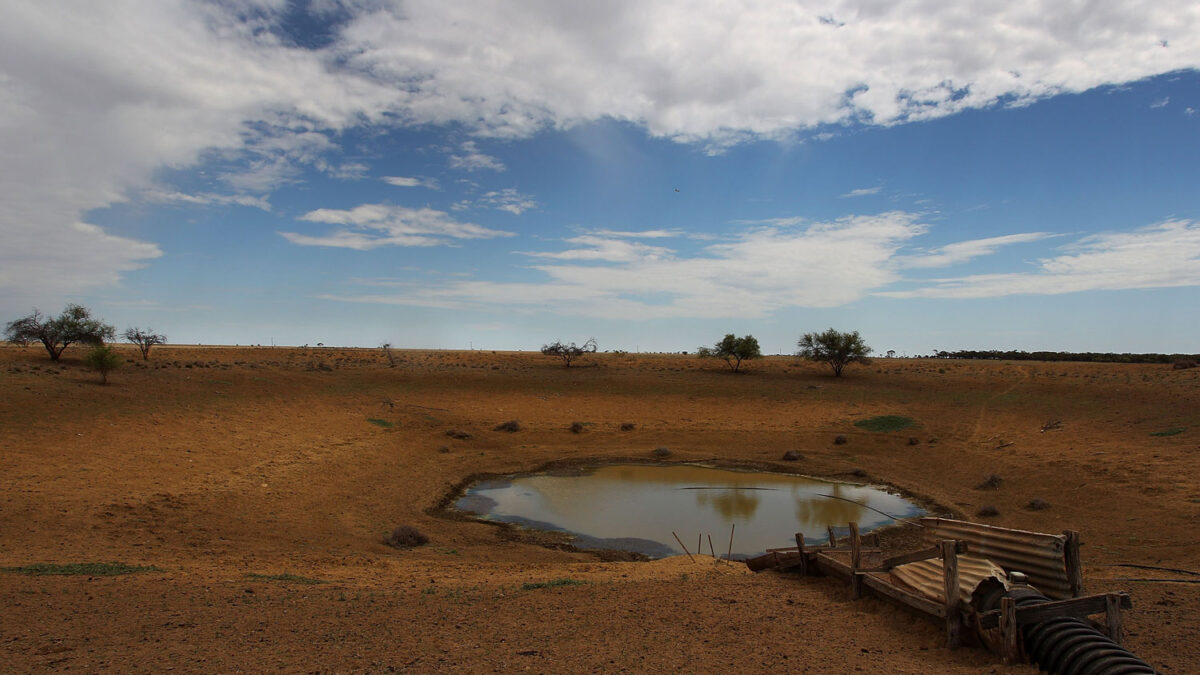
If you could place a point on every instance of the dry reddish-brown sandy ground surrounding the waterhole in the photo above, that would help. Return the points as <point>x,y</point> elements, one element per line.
<point>218,464</point>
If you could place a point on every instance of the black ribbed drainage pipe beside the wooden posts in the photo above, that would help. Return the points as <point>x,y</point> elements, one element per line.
<point>1072,647</point>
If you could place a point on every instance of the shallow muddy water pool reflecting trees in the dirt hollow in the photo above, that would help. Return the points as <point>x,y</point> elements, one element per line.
<point>637,507</point>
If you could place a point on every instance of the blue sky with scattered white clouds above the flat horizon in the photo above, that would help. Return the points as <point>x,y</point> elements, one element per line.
<point>991,175</point>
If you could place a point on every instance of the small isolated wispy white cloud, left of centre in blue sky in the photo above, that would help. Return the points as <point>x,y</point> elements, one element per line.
<point>385,225</point>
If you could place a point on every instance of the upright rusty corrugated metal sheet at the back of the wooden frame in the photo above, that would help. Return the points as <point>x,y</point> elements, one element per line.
<point>1037,555</point>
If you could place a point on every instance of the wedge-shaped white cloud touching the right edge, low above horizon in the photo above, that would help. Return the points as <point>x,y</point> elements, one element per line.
<point>1161,256</point>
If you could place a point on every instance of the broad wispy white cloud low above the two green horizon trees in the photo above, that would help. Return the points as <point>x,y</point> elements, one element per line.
<point>760,271</point>
